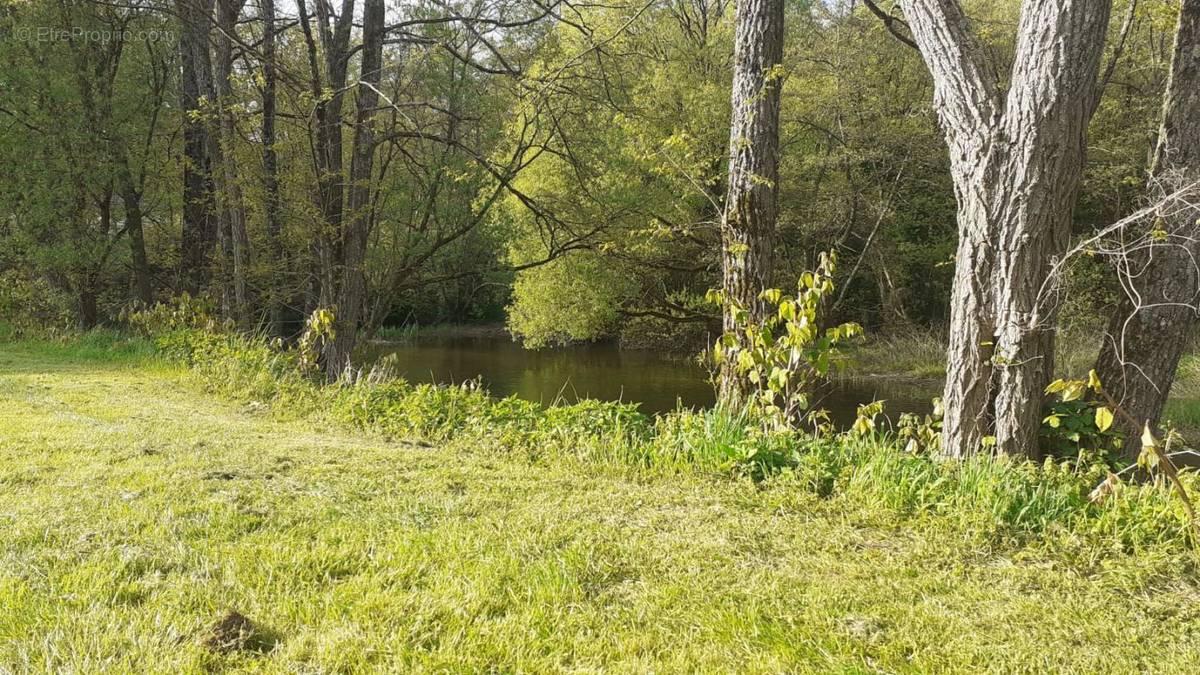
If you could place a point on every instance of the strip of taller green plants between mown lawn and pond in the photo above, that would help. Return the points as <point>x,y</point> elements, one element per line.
<point>994,500</point>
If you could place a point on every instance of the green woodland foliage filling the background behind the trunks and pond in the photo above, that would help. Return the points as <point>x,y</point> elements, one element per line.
<point>611,163</point>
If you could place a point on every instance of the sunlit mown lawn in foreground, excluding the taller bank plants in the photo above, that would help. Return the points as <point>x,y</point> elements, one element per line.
<point>134,512</point>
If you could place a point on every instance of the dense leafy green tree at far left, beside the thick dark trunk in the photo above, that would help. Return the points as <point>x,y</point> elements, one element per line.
<point>85,151</point>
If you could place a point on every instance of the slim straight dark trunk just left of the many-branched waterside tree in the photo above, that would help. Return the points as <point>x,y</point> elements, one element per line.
<point>272,172</point>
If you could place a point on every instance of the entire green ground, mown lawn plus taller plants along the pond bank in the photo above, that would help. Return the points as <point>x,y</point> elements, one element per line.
<point>377,524</point>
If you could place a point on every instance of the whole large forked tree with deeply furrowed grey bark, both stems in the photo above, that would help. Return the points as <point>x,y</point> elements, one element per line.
<point>1016,162</point>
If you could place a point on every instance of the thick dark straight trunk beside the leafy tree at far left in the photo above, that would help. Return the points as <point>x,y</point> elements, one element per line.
<point>199,235</point>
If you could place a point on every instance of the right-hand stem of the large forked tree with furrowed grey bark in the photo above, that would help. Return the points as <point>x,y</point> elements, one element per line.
<point>1059,51</point>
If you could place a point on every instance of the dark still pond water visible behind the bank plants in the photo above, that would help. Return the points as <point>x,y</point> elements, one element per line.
<point>658,384</point>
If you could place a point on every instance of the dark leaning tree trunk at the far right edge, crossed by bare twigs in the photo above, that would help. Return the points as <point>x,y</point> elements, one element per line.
<point>1148,336</point>
